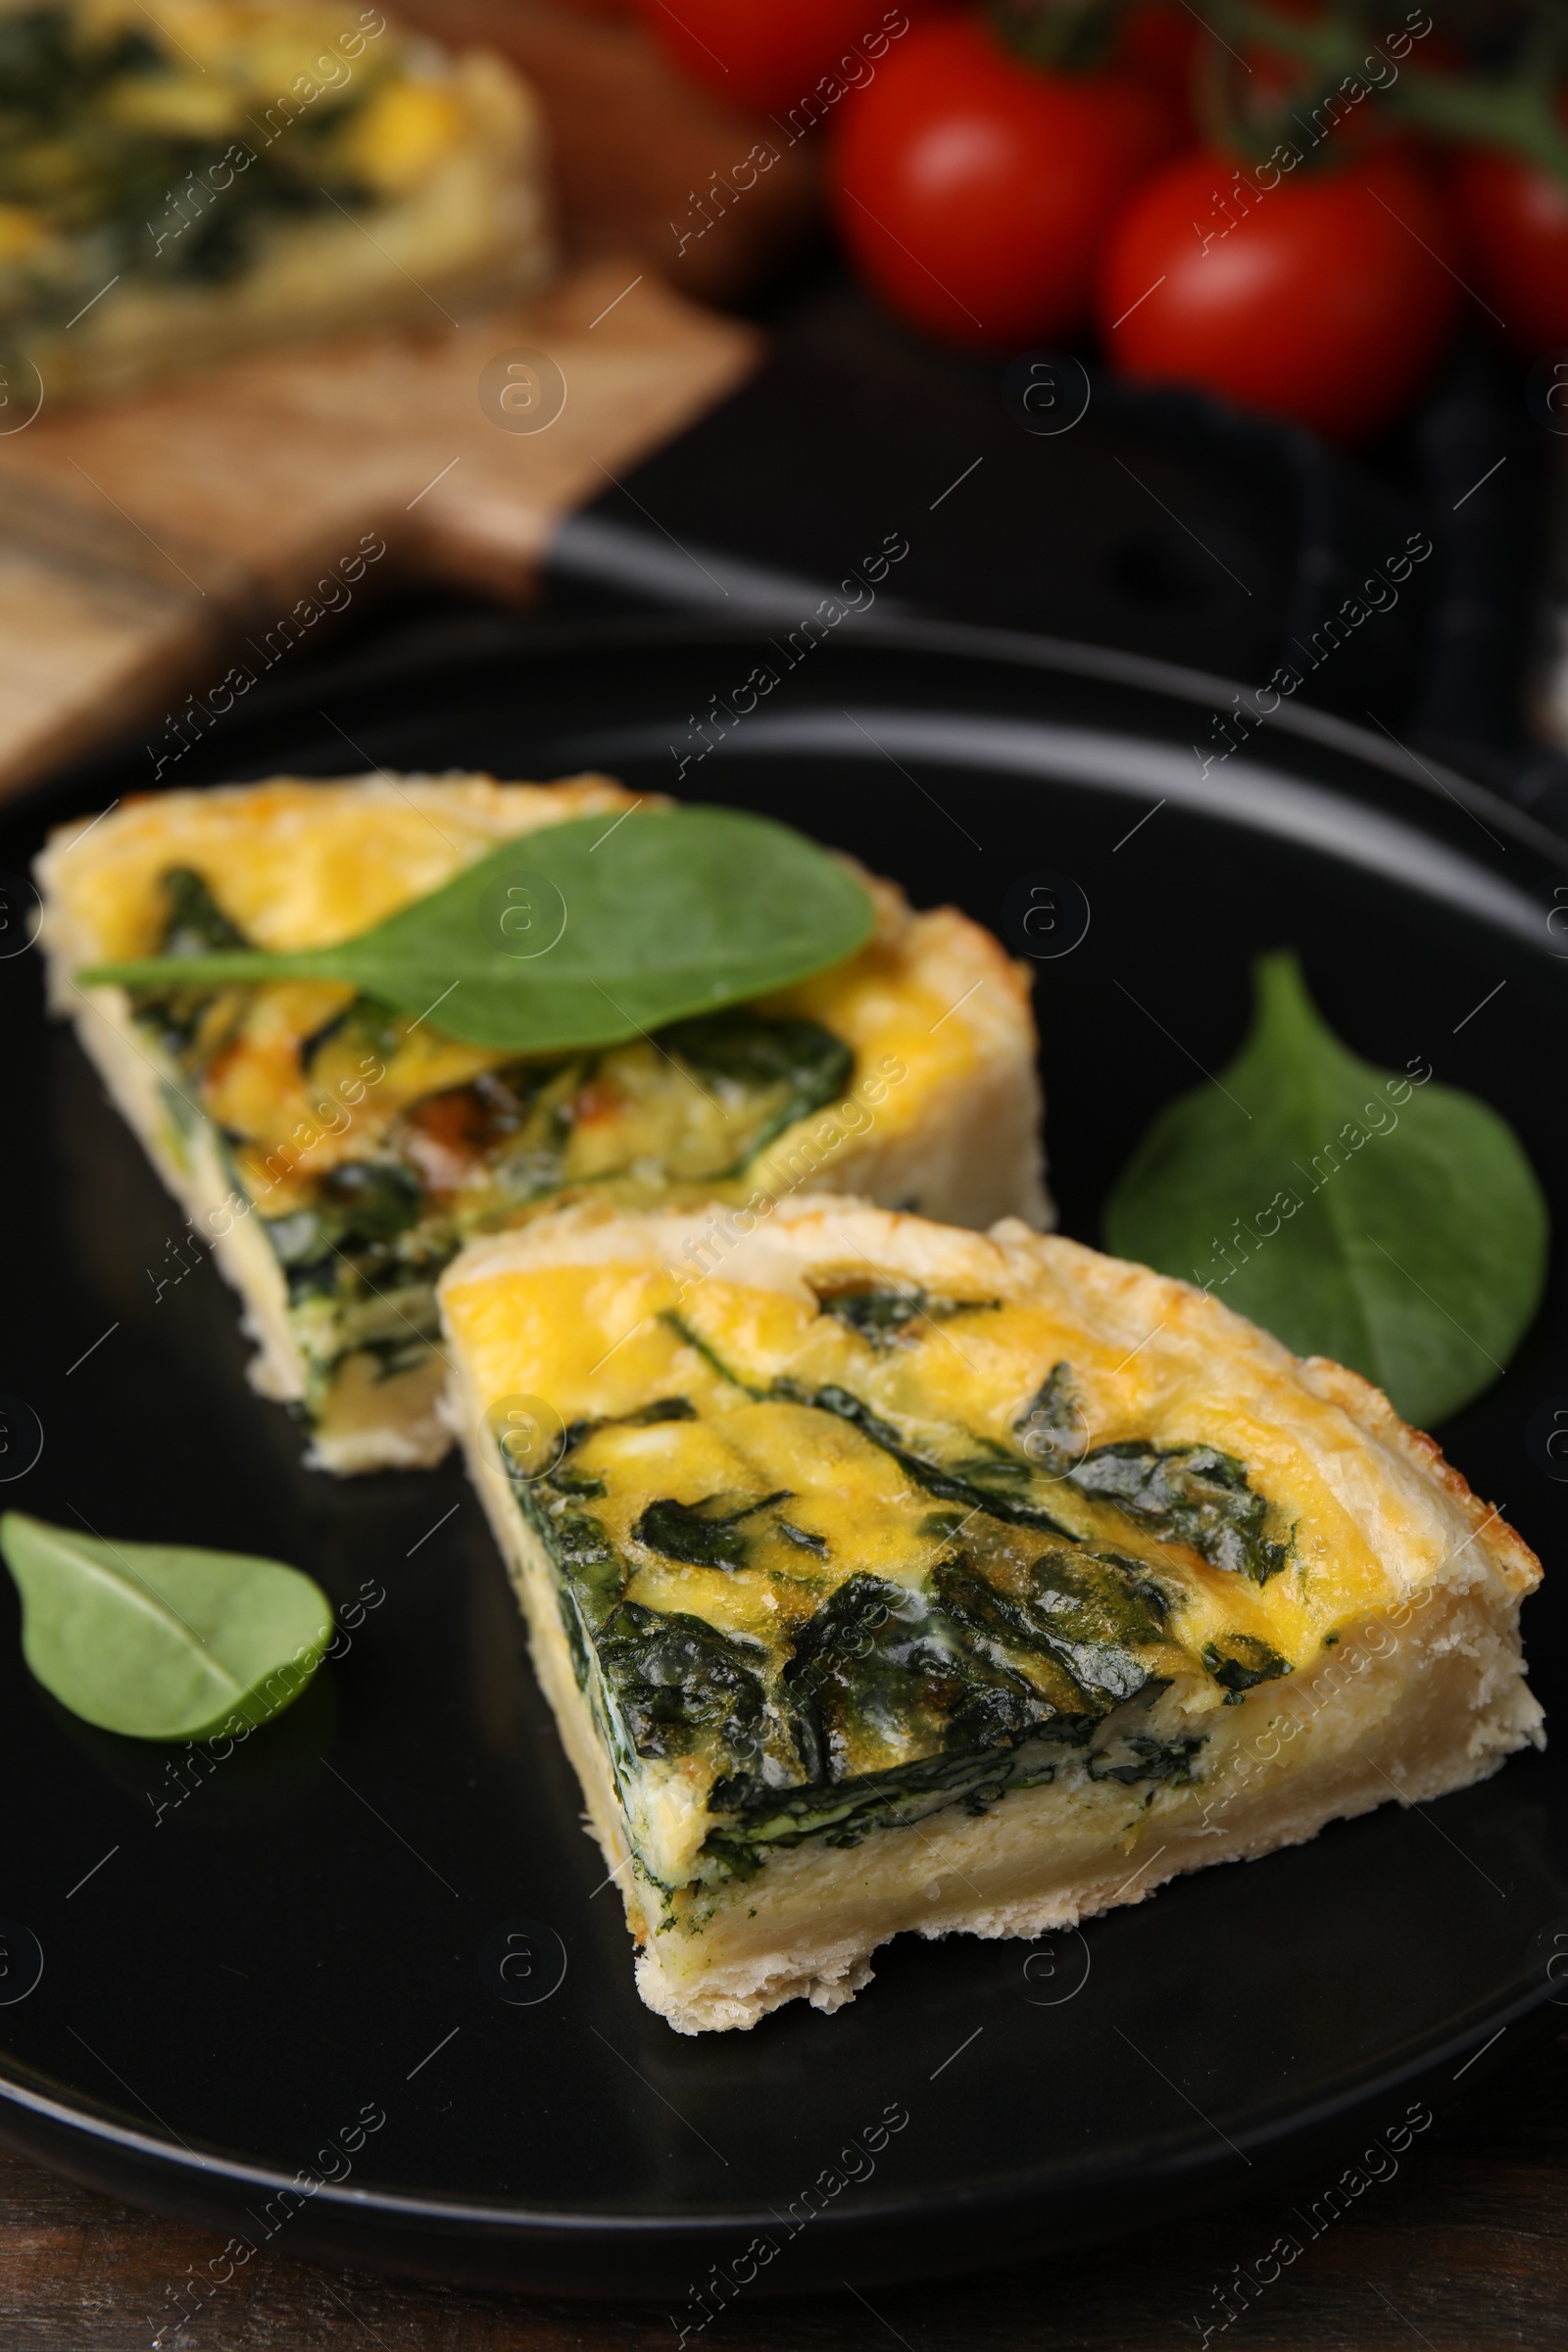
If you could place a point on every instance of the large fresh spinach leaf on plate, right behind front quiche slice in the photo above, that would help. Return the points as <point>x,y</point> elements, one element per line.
<point>1372,1217</point>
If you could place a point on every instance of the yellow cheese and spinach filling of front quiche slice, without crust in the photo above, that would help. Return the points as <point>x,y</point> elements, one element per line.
<point>840,1549</point>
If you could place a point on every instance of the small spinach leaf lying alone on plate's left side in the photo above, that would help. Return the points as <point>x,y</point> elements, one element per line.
<point>161,1641</point>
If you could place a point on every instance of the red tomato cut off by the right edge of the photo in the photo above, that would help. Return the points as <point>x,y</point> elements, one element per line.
<point>1515,227</point>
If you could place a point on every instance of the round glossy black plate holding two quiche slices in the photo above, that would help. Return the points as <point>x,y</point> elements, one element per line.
<point>248,1960</point>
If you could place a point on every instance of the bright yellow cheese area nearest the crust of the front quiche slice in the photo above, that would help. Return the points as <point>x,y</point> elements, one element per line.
<point>603,1342</point>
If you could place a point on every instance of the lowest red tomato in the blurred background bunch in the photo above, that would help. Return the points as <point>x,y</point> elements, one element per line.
<point>1322,300</point>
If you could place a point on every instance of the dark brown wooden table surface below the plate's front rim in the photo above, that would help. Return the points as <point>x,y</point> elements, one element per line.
<point>1463,2252</point>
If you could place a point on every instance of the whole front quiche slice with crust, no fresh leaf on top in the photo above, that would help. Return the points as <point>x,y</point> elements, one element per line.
<point>890,1577</point>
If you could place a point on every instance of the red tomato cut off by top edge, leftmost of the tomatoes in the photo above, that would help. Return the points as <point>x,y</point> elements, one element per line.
<point>772,53</point>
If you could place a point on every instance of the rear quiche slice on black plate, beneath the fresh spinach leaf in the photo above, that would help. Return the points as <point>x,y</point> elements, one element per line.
<point>337,1156</point>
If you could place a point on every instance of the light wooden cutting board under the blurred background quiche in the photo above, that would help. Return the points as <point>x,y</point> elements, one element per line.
<point>149,547</point>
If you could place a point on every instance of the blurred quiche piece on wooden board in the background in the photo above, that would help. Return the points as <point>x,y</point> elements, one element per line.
<point>187,182</point>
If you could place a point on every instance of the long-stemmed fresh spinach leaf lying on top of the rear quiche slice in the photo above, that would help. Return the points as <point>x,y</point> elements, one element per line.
<point>584,935</point>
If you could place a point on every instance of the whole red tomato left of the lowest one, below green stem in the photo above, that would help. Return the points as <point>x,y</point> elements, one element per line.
<point>977,192</point>
